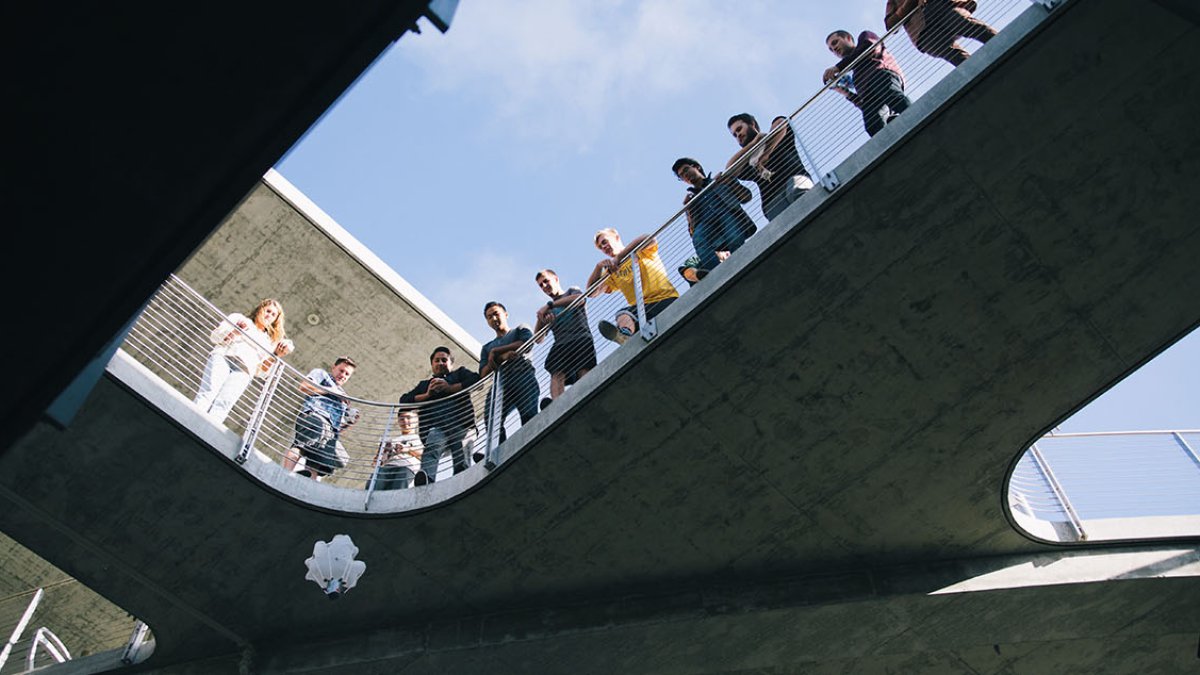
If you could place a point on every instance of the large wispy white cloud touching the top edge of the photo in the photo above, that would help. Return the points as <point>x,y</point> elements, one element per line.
<point>562,69</point>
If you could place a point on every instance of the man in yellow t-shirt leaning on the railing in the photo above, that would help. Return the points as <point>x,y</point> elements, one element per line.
<point>617,271</point>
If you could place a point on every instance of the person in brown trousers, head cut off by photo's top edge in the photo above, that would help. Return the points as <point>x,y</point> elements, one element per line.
<point>937,26</point>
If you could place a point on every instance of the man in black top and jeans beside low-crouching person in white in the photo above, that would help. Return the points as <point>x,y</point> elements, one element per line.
<point>443,423</point>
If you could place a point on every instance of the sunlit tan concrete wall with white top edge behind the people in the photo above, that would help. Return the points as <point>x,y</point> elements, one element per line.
<point>279,244</point>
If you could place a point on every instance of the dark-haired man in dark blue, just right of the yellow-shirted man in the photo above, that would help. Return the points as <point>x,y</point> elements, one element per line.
<point>716,220</point>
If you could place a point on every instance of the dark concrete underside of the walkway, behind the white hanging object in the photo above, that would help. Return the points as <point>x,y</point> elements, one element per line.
<point>818,441</point>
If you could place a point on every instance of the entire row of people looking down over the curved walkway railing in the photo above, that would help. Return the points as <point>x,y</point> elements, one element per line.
<point>248,345</point>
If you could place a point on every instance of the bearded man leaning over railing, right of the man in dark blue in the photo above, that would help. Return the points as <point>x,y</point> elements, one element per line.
<point>771,162</point>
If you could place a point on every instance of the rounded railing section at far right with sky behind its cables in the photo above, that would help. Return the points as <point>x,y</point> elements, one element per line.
<point>1109,486</point>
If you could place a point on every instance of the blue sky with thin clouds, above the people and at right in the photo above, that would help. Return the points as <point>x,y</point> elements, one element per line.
<point>470,160</point>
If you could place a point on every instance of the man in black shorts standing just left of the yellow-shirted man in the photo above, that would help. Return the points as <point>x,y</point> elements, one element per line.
<point>573,354</point>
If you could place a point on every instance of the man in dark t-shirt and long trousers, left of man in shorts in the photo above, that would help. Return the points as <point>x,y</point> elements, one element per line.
<point>519,383</point>
